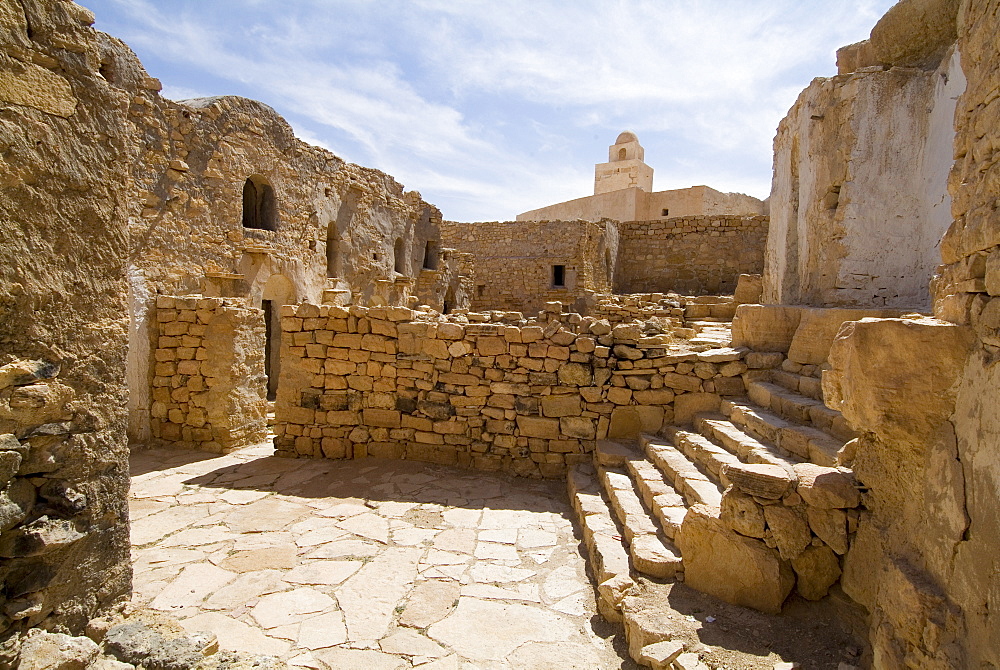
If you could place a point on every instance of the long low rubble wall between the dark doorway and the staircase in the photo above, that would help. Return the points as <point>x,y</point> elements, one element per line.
<point>530,400</point>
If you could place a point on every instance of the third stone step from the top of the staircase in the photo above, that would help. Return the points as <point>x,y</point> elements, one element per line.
<point>808,443</point>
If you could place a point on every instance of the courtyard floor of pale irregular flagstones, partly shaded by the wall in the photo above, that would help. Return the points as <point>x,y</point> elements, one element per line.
<point>365,564</point>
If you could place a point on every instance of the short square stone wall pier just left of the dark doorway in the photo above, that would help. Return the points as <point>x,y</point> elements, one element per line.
<point>209,385</point>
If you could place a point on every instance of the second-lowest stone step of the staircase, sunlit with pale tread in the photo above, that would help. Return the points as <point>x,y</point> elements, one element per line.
<point>651,554</point>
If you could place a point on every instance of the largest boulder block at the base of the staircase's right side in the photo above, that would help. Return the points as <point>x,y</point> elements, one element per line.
<point>738,569</point>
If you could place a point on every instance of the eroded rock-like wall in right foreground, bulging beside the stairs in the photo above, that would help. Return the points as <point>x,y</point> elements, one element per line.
<point>924,391</point>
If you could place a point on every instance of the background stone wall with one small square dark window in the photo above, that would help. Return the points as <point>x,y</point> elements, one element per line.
<point>513,261</point>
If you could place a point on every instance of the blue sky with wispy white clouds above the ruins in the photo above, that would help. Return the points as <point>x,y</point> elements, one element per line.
<point>494,107</point>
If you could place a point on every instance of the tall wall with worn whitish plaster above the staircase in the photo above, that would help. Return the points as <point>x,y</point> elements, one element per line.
<point>859,200</point>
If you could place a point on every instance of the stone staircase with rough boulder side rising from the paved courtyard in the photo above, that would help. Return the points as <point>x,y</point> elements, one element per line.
<point>744,504</point>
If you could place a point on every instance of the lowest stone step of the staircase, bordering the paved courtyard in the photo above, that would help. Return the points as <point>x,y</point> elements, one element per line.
<point>607,555</point>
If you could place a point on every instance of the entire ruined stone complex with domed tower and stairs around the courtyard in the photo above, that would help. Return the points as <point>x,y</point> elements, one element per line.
<point>170,271</point>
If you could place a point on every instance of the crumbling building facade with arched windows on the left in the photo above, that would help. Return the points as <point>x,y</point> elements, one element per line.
<point>234,205</point>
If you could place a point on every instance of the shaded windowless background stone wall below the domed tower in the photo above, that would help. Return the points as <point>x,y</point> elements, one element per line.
<point>691,255</point>
